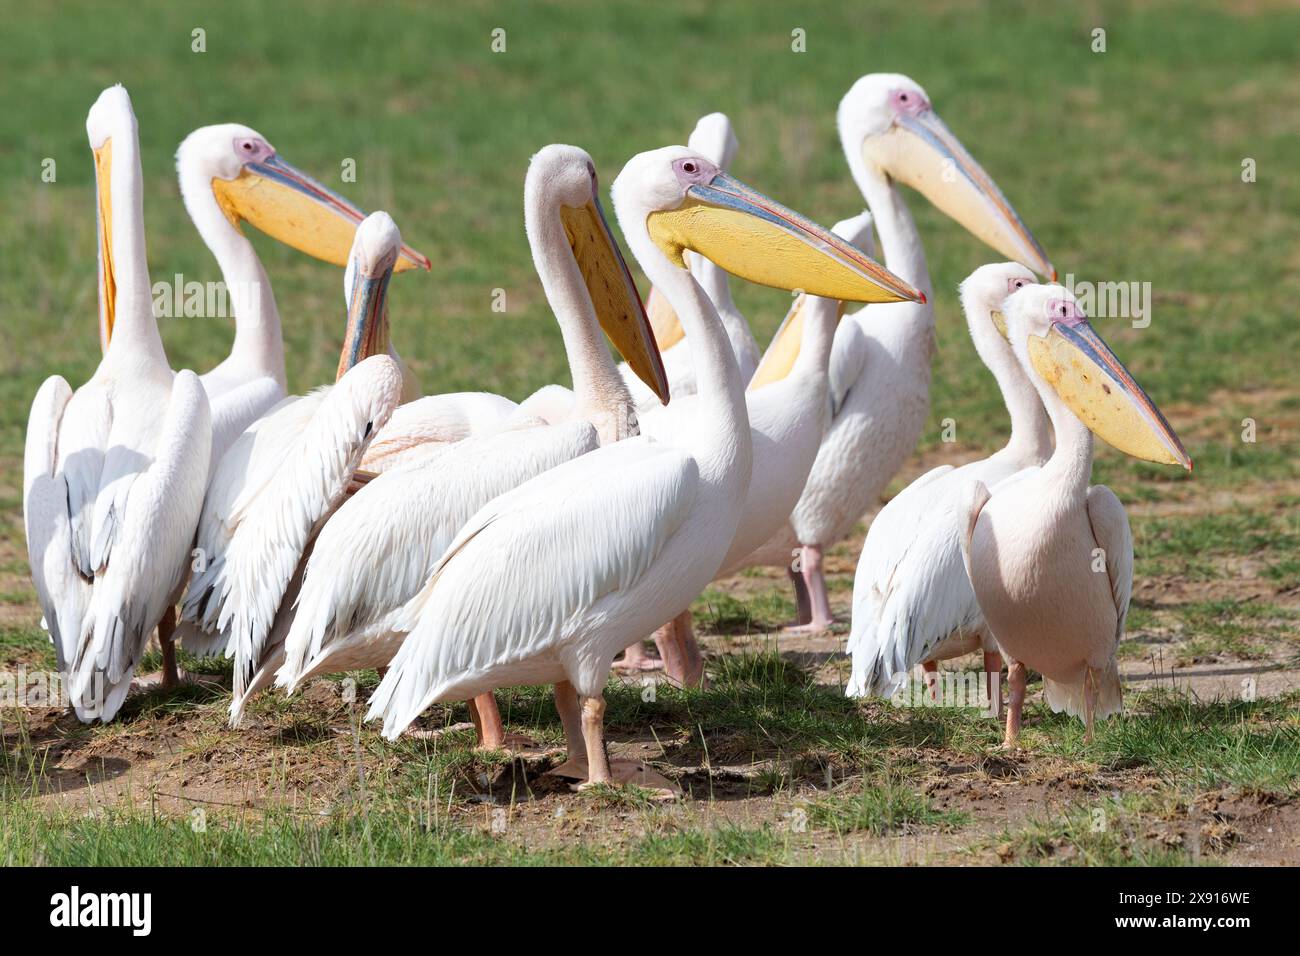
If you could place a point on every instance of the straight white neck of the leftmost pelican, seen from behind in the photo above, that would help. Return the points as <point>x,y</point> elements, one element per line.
<point>136,338</point>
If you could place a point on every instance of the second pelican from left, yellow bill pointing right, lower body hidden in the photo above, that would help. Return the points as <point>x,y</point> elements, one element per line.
<point>231,175</point>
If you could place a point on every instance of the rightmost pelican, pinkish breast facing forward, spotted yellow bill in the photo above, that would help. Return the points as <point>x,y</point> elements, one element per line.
<point>1050,557</point>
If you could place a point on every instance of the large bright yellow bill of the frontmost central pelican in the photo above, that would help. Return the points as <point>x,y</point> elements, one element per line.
<point>761,241</point>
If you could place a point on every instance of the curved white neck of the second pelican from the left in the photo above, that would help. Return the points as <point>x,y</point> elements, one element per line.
<point>259,347</point>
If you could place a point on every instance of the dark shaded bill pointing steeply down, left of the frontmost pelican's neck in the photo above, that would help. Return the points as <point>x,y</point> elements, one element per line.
<point>614,295</point>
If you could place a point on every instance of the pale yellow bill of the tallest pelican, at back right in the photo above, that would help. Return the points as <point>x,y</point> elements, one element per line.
<point>922,153</point>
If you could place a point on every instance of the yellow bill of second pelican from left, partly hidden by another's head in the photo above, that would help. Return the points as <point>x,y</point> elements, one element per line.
<point>294,209</point>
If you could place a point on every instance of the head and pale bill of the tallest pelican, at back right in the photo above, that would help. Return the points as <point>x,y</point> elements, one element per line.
<point>889,126</point>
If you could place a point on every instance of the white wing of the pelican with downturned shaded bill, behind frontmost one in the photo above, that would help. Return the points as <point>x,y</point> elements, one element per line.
<point>383,546</point>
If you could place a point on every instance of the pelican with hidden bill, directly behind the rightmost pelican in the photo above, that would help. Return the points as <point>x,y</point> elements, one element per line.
<point>912,600</point>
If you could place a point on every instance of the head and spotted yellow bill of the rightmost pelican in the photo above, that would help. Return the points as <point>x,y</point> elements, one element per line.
<point>1052,336</point>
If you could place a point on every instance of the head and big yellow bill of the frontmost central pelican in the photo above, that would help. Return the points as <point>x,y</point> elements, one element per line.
<point>683,202</point>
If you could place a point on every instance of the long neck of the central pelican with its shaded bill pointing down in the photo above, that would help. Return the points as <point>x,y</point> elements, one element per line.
<point>601,396</point>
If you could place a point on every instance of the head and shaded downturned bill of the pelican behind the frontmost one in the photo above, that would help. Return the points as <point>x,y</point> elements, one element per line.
<point>566,176</point>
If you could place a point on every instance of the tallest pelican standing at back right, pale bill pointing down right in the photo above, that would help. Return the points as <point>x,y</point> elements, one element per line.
<point>881,361</point>
